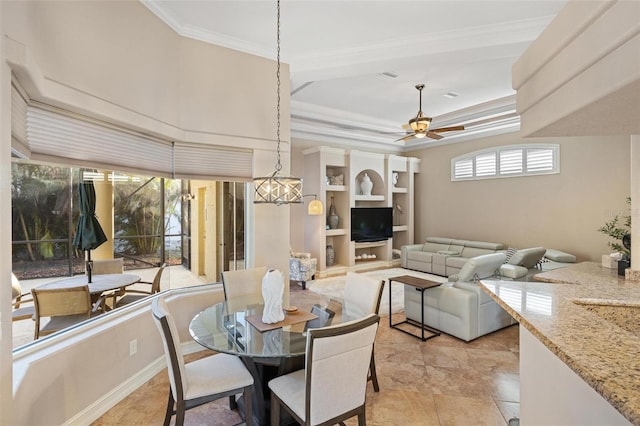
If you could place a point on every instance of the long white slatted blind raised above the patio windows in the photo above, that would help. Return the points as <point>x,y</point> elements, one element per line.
<point>61,138</point>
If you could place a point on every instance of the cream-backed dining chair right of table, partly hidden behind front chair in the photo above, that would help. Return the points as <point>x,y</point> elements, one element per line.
<point>362,296</point>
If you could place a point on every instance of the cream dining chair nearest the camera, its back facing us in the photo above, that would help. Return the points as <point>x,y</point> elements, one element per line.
<point>332,386</point>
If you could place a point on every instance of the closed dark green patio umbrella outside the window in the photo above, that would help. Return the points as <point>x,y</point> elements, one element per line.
<point>89,233</point>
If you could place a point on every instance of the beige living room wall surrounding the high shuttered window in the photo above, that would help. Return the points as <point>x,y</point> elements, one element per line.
<point>561,211</point>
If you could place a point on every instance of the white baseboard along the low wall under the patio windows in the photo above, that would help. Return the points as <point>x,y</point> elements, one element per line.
<point>94,411</point>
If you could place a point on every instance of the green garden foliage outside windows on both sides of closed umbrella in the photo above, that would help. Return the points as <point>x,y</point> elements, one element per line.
<point>45,212</point>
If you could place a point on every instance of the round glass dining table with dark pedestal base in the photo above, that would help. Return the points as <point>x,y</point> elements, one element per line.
<point>228,327</point>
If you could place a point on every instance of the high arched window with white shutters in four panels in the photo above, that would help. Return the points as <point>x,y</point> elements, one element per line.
<point>507,161</point>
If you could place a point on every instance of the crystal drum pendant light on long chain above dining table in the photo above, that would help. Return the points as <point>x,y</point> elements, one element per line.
<point>276,189</point>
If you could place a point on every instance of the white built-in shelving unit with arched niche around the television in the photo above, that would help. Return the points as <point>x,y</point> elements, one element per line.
<point>336,175</point>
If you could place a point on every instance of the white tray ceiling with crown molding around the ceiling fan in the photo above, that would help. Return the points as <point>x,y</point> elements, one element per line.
<point>339,50</point>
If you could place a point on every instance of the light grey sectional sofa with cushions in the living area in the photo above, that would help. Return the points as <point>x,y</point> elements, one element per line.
<point>460,307</point>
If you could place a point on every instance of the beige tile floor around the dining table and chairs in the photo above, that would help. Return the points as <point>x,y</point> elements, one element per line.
<point>443,381</point>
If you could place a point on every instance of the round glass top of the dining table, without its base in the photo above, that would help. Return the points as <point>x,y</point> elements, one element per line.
<point>224,327</point>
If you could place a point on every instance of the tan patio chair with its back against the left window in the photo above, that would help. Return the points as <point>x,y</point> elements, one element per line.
<point>64,307</point>
